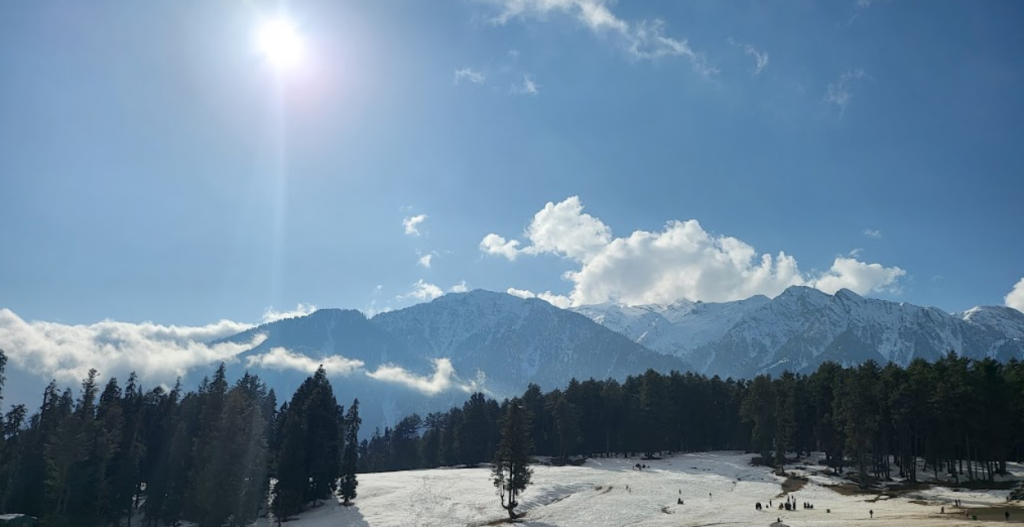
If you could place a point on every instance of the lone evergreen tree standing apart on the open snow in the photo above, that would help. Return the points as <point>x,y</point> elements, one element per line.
<point>513,471</point>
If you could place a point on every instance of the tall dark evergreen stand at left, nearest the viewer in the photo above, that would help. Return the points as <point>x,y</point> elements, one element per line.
<point>114,455</point>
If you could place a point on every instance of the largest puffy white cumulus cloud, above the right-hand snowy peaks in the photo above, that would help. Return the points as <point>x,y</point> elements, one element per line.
<point>680,261</point>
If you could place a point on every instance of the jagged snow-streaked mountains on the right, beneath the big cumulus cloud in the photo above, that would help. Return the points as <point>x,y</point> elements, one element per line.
<point>803,328</point>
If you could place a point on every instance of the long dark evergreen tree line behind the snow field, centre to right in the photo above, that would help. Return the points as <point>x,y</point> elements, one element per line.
<point>963,419</point>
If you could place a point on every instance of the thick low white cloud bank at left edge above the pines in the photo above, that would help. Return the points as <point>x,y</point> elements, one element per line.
<point>158,354</point>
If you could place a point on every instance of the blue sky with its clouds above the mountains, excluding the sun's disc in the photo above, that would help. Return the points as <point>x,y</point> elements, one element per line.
<point>154,166</point>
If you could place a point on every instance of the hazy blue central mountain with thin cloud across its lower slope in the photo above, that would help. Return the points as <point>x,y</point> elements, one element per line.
<point>495,342</point>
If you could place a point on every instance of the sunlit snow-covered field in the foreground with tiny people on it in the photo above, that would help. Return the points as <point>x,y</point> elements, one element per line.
<point>718,489</point>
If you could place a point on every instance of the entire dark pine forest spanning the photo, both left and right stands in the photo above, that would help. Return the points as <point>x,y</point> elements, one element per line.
<point>116,452</point>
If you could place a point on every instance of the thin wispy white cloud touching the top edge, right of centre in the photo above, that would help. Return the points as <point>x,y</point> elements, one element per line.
<point>644,39</point>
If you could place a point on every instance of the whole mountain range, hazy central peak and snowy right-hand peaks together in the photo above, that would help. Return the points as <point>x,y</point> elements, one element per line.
<point>432,357</point>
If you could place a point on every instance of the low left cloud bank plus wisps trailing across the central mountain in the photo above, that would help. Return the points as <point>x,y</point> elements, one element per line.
<point>161,354</point>
